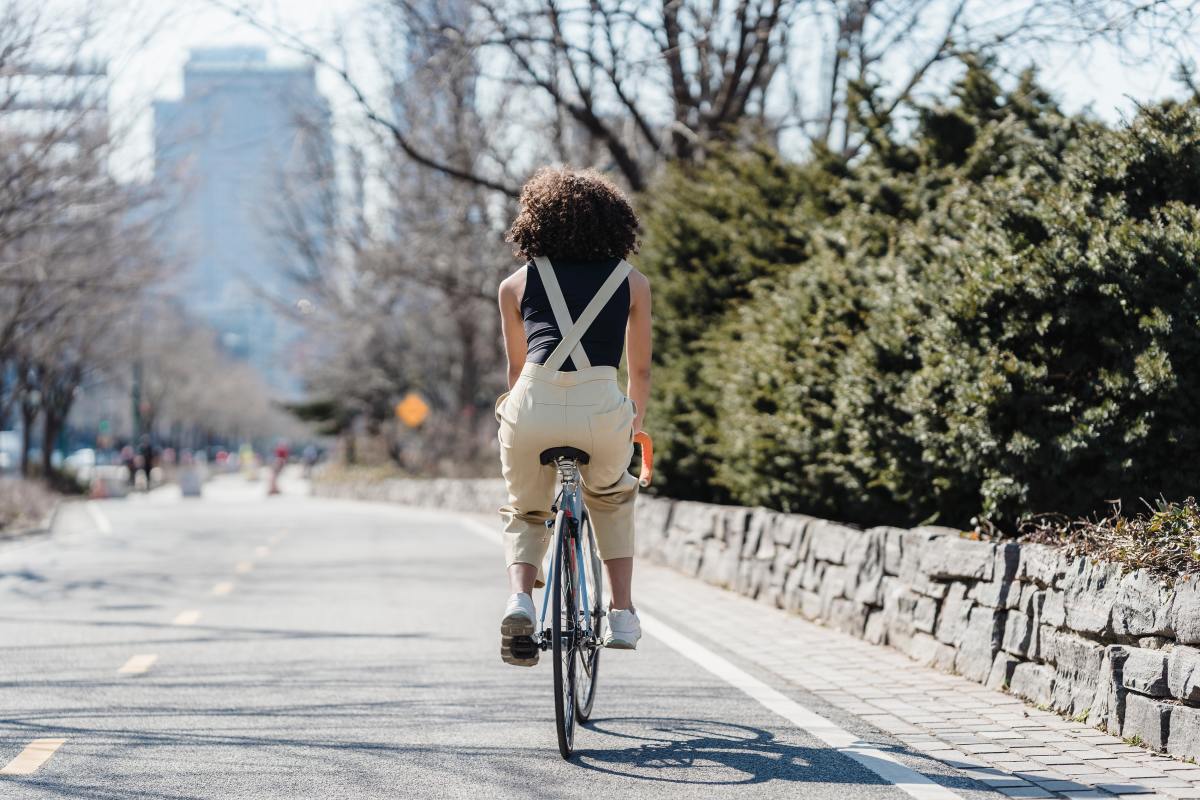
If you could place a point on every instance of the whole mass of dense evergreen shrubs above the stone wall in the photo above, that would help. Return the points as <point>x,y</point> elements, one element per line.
<point>994,315</point>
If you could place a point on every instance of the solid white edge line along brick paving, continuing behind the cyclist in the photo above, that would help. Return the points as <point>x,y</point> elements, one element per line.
<point>884,765</point>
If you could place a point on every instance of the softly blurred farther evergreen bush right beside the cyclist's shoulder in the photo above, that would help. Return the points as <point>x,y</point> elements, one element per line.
<point>710,232</point>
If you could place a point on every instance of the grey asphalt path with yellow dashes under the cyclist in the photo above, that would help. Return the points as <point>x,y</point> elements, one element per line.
<point>244,647</point>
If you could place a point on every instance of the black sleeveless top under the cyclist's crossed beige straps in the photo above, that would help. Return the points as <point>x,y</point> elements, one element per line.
<point>604,341</point>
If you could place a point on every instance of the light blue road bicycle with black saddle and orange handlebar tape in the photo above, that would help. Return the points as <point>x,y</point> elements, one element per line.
<point>575,594</point>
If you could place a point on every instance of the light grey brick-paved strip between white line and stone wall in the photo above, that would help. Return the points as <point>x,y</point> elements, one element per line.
<point>992,737</point>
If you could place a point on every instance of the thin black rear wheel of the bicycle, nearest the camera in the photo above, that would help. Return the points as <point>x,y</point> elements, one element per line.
<point>565,621</point>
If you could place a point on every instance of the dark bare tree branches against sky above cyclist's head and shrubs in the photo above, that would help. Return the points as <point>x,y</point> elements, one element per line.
<point>632,85</point>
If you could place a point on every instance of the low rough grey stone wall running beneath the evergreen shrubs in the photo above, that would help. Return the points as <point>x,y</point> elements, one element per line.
<point>1118,649</point>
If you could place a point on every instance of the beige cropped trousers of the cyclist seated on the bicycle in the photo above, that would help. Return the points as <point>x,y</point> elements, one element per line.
<point>584,410</point>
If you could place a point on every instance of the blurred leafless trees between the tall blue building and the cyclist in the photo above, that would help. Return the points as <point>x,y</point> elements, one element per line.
<point>403,293</point>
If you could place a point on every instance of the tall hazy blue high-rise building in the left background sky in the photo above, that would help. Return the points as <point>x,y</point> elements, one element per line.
<point>243,160</point>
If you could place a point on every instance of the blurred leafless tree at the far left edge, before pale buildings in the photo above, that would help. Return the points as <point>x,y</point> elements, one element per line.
<point>73,251</point>
